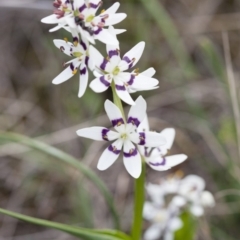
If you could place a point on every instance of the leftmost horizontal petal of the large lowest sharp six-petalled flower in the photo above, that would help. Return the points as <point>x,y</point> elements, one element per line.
<point>98,133</point>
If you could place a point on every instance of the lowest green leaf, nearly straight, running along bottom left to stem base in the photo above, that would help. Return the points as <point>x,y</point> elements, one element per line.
<point>84,233</point>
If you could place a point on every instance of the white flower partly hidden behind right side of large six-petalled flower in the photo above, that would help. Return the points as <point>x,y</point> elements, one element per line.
<point>157,157</point>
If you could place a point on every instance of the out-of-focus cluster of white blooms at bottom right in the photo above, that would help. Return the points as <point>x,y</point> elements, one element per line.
<point>171,198</point>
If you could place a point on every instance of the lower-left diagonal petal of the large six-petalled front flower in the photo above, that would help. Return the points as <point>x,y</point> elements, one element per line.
<point>110,155</point>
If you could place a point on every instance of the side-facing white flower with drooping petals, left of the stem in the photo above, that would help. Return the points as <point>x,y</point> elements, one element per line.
<point>79,50</point>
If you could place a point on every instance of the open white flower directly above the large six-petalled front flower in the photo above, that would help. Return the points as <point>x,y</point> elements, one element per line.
<point>112,69</point>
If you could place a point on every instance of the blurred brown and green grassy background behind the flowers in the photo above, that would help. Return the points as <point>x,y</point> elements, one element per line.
<point>194,47</point>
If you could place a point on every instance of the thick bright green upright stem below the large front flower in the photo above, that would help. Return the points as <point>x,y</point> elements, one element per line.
<point>138,204</point>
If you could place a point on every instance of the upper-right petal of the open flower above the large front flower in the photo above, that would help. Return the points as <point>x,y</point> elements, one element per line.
<point>131,58</point>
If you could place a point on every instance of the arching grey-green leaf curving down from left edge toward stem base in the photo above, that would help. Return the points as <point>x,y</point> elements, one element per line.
<point>64,157</point>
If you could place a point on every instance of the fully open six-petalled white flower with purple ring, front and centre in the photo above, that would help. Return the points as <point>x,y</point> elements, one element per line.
<point>124,137</point>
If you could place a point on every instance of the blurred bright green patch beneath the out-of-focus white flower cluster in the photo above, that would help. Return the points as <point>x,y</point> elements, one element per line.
<point>187,232</point>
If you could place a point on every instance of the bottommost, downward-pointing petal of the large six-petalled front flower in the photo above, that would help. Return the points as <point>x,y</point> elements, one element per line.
<point>132,159</point>
